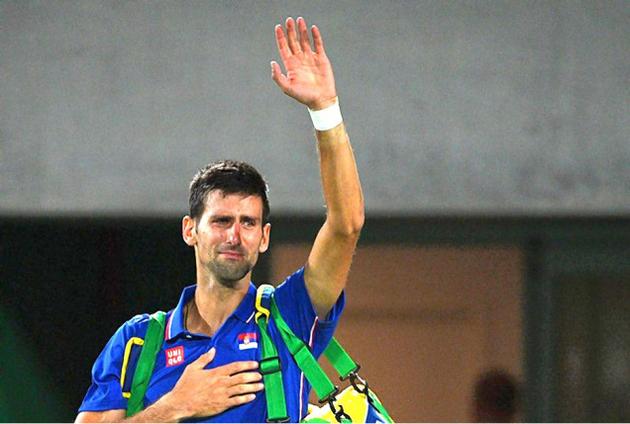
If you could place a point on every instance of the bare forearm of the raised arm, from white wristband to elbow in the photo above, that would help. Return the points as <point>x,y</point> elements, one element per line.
<point>340,182</point>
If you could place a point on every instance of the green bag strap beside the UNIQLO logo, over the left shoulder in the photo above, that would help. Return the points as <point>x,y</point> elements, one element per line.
<point>146,362</point>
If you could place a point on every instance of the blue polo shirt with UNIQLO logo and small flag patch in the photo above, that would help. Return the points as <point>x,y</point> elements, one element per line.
<point>236,340</point>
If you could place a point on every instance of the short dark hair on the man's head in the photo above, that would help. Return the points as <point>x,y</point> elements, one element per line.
<point>230,177</point>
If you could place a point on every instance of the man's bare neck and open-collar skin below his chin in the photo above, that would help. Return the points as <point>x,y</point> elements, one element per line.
<point>213,304</point>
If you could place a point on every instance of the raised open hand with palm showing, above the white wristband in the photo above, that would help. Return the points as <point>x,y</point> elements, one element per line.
<point>309,76</point>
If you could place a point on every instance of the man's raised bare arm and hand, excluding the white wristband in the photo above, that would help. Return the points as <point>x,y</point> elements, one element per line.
<point>309,79</point>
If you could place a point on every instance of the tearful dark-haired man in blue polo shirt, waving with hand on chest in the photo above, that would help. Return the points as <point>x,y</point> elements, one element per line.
<point>207,368</point>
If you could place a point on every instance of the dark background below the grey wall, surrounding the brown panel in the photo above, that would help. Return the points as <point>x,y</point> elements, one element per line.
<point>67,284</point>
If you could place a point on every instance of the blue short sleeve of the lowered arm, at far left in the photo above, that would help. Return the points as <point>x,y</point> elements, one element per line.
<point>105,392</point>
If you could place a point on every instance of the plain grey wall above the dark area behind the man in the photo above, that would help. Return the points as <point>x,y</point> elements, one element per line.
<point>485,107</point>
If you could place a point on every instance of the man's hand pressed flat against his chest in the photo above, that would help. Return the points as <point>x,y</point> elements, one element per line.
<point>201,392</point>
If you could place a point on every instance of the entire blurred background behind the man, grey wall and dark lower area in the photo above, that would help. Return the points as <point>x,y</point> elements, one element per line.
<point>492,137</point>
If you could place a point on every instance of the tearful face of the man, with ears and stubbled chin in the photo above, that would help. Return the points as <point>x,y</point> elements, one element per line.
<point>228,237</point>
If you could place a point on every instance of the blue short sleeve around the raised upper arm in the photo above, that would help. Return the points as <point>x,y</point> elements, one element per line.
<point>297,309</point>
